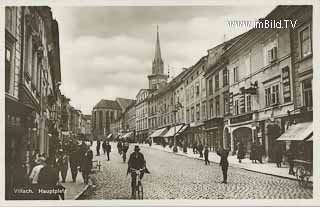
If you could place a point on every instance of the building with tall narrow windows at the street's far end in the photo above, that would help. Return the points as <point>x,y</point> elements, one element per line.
<point>103,114</point>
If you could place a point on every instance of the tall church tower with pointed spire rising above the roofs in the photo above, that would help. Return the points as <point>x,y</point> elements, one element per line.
<point>157,76</point>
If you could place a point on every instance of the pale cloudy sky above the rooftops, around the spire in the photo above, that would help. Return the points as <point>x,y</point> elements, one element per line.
<point>106,52</point>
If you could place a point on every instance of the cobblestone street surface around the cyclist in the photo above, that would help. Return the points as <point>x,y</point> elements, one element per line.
<point>178,177</point>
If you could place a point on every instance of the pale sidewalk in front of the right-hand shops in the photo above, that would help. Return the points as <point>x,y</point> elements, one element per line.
<point>265,168</point>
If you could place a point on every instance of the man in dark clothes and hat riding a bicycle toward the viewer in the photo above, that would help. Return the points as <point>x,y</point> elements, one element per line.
<point>136,162</point>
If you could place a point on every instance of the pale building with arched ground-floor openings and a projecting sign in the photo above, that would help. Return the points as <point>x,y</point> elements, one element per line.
<point>261,85</point>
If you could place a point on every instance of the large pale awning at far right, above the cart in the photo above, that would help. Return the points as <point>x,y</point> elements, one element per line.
<point>297,132</point>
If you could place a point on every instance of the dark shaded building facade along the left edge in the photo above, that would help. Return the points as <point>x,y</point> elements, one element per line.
<point>32,76</point>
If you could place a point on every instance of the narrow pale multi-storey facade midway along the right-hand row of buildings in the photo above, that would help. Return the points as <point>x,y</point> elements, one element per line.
<point>195,102</point>
